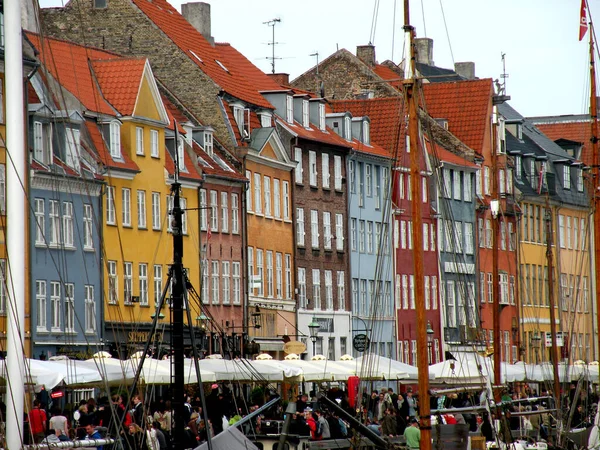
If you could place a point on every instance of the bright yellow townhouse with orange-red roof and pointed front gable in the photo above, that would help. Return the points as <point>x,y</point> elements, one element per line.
<point>124,120</point>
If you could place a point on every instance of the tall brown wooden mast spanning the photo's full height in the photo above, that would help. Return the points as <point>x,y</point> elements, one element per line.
<point>411,101</point>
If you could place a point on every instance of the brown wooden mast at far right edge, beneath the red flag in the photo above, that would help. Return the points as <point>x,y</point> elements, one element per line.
<point>595,169</point>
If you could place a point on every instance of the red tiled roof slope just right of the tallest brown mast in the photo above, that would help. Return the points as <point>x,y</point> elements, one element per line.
<point>467,105</point>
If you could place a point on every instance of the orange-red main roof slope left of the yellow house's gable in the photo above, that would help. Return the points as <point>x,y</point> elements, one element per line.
<point>68,63</point>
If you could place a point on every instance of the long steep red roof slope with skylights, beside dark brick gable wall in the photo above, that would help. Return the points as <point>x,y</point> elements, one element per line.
<point>188,39</point>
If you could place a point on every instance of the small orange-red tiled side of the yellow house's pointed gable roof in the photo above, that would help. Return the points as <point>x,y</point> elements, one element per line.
<point>120,81</point>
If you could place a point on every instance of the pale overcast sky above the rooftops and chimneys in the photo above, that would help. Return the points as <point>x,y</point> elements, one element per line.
<point>546,64</point>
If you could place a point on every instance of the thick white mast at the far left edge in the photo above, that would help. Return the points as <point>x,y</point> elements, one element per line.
<point>16,213</point>
